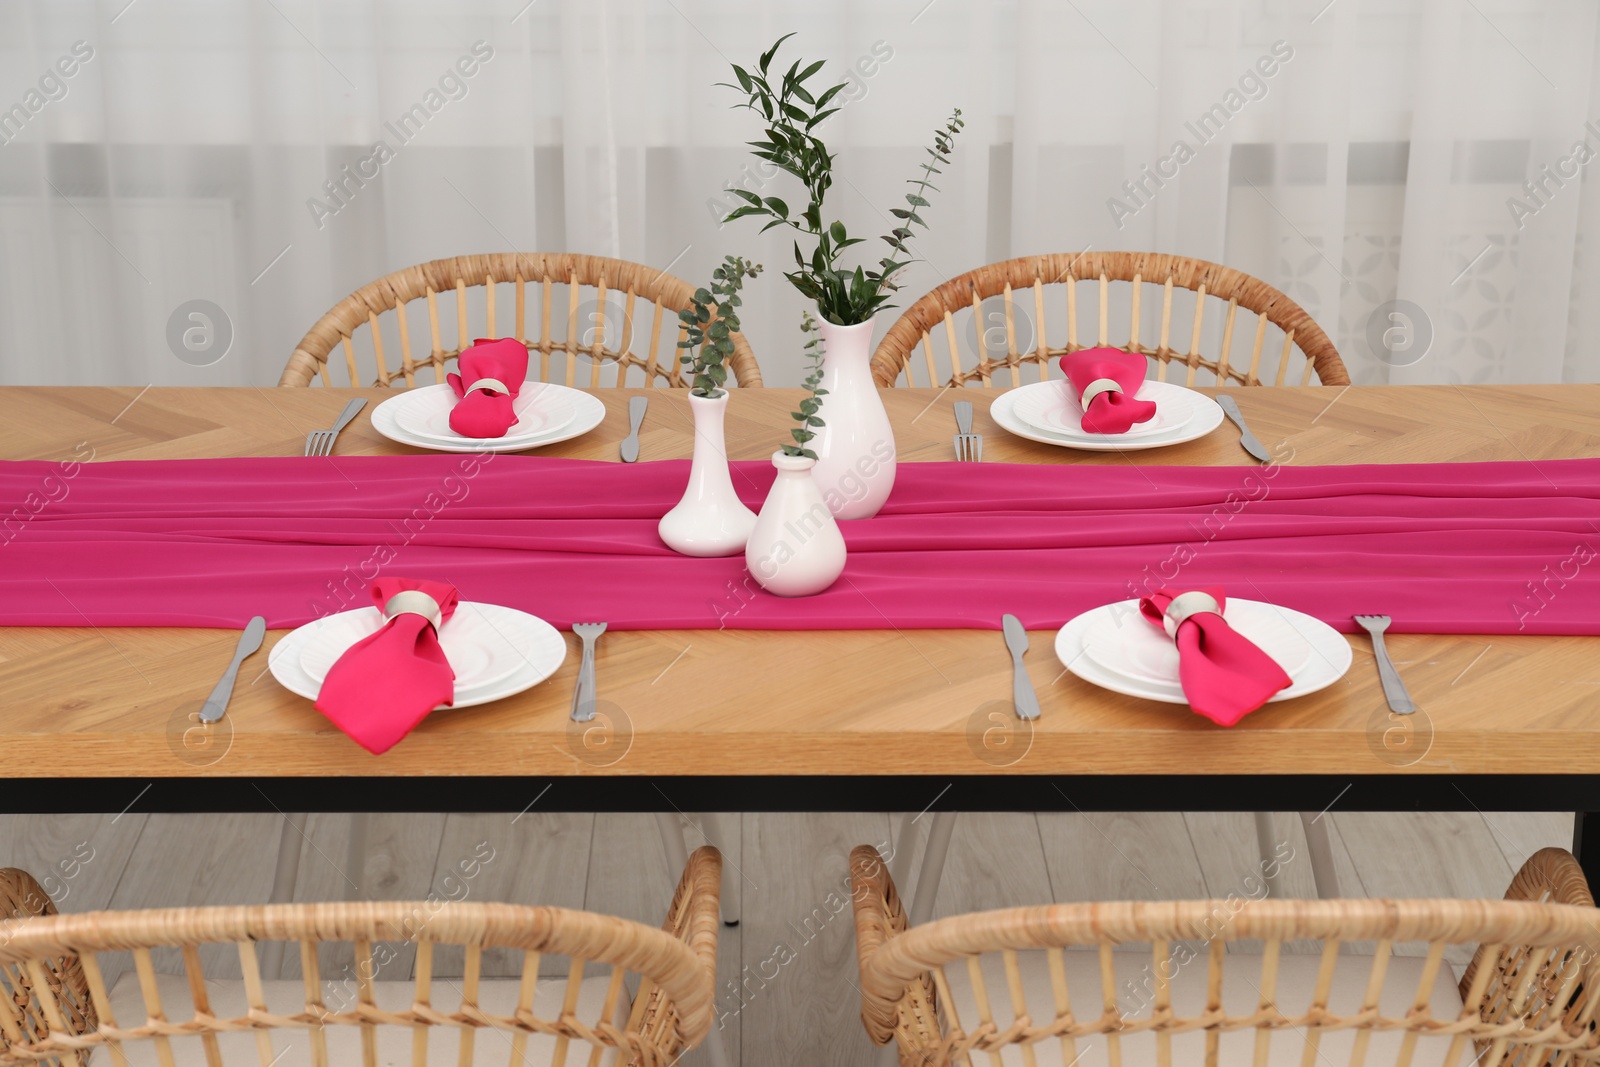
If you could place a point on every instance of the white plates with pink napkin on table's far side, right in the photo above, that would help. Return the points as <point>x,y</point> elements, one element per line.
<point>1106,404</point>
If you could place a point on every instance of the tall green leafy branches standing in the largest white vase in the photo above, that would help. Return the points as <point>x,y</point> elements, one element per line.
<point>793,113</point>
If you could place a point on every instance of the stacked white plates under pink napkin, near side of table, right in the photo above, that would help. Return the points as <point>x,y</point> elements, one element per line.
<point>1329,653</point>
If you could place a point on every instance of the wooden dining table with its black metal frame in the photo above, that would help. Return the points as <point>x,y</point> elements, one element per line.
<point>102,719</point>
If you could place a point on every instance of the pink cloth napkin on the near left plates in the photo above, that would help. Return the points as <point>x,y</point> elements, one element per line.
<point>386,684</point>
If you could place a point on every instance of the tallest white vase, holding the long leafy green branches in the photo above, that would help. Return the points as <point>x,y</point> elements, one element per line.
<point>855,449</point>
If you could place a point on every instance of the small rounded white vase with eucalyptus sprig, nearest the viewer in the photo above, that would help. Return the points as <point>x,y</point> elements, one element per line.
<point>796,548</point>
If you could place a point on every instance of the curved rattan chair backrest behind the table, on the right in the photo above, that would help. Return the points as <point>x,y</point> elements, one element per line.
<point>978,343</point>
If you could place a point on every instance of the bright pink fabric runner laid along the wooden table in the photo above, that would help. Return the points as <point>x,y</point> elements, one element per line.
<point>1444,548</point>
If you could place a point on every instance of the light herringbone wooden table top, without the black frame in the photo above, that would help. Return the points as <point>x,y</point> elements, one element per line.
<point>94,703</point>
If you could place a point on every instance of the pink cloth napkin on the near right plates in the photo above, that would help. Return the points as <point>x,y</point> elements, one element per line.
<point>1223,673</point>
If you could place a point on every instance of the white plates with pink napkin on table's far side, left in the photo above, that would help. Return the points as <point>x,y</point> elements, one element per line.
<point>489,407</point>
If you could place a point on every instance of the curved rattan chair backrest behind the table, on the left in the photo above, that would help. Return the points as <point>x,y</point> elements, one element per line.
<point>609,314</point>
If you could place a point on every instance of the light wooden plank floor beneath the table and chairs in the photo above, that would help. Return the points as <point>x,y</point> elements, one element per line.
<point>790,871</point>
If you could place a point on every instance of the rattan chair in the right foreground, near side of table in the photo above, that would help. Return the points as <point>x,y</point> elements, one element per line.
<point>1215,983</point>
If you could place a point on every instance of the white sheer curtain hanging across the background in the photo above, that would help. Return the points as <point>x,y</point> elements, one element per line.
<point>1353,153</point>
